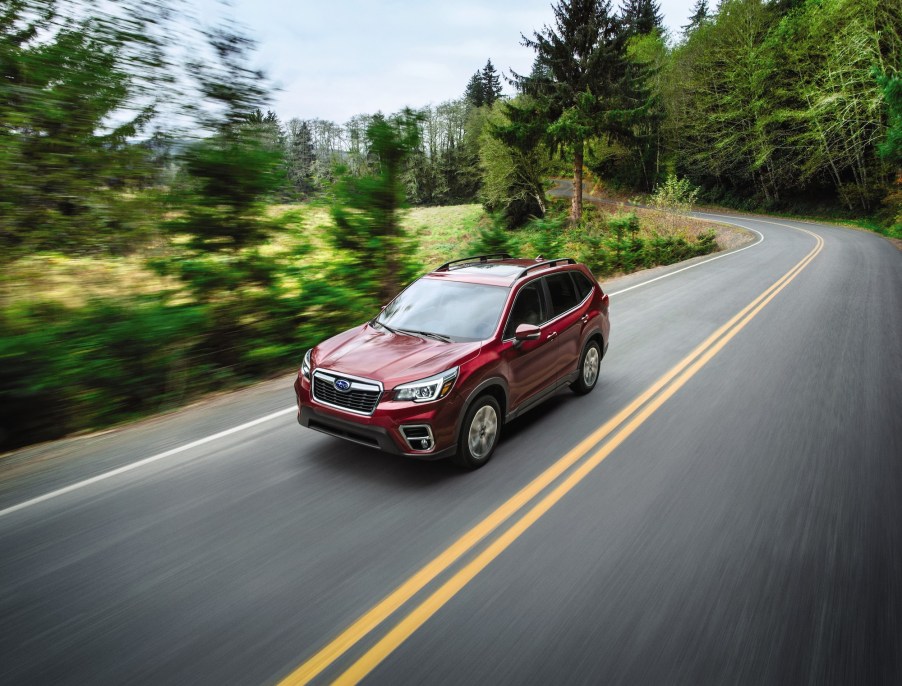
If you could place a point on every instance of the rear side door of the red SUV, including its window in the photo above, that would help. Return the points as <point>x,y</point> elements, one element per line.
<point>566,325</point>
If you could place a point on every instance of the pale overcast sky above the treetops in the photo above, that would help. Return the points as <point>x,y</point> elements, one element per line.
<point>332,59</point>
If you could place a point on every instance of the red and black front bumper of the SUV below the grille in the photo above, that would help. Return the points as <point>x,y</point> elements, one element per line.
<point>383,429</point>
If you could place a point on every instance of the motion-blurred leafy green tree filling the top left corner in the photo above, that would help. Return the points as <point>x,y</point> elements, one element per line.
<point>70,108</point>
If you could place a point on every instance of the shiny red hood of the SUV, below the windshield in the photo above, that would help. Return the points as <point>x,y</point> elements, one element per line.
<point>376,353</point>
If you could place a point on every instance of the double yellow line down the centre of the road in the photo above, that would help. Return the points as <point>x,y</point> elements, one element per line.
<point>617,430</point>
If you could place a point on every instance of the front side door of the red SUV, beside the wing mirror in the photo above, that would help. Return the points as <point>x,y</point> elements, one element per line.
<point>530,363</point>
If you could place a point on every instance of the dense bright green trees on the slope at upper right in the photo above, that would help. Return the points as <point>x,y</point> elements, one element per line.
<point>767,102</point>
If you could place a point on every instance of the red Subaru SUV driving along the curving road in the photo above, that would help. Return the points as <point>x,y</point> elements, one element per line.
<point>455,355</point>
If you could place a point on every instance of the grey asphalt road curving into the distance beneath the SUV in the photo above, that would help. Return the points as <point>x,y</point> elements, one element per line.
<point>724,508</point>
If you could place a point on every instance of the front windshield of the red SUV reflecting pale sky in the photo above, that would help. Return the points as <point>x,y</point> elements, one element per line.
<point>457,310</point>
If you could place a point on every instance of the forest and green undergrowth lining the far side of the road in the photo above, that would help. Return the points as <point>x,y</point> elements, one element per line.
<point>211,240</point>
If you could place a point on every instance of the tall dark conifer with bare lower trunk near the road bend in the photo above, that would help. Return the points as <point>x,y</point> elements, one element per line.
<point>576,92</point>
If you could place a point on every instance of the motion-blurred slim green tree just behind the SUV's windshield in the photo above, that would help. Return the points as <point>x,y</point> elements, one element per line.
<point>366,210</point>
